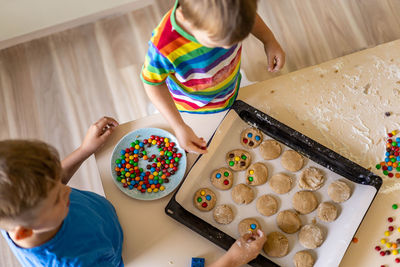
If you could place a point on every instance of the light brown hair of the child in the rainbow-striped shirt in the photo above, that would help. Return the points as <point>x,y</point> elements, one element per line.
<point>229,21</point>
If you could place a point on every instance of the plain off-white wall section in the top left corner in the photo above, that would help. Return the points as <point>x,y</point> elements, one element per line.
<point>24,20</point>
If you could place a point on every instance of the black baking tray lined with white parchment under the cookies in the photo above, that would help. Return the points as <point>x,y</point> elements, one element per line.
<point>338,234</point>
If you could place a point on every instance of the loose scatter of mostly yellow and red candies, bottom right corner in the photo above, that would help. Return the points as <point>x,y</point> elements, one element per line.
<point>390,247</point>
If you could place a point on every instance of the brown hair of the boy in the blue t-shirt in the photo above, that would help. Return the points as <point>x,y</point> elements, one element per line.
<point>28,170</point>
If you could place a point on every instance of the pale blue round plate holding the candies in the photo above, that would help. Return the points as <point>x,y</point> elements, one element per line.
<point>141,134</point>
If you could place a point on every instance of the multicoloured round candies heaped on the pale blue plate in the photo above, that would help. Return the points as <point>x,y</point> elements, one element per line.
<point>158,170</point>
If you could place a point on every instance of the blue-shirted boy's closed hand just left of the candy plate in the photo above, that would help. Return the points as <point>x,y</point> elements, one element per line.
<point>97,134</point>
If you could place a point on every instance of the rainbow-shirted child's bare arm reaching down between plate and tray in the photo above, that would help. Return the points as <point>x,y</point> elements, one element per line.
<point>162,99</point>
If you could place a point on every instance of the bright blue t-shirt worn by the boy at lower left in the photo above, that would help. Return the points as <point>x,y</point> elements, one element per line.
<point>89,236</point>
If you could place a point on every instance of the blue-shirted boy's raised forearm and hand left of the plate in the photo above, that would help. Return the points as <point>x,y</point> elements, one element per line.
<point>95,137</point>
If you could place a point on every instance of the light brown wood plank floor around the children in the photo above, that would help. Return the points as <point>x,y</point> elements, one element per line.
<point>54,87</point>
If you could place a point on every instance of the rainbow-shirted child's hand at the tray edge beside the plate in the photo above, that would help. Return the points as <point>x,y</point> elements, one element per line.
<point>189,141</point>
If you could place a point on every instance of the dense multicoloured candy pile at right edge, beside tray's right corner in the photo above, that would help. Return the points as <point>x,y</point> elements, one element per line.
<point>392,157</point>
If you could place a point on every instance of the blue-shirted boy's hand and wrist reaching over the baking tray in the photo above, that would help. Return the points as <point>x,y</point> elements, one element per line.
<point>242,251</point>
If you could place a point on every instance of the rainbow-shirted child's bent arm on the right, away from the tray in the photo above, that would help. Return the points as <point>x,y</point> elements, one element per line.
<point>275,54</point>
